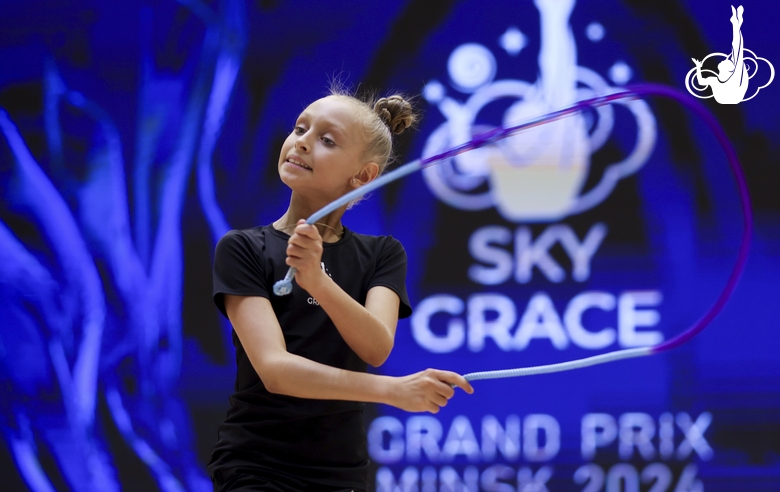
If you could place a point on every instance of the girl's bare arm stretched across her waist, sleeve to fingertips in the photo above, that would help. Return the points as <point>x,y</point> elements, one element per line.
<point>284,373</point>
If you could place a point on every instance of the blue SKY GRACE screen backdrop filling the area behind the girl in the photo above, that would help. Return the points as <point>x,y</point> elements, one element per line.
<point>135,134</point>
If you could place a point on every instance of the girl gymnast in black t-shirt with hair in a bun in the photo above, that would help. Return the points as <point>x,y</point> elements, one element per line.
<point>295,419</point>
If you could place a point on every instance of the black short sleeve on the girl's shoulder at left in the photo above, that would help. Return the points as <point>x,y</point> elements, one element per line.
<point>238,269</point>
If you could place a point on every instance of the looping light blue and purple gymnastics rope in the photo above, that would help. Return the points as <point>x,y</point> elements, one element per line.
<point>284,286</point>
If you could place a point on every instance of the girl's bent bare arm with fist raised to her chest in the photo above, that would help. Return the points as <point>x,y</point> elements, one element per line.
<point>369,331</point>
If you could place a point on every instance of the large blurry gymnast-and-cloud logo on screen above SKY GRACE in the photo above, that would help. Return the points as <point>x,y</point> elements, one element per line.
<point>538,174</point>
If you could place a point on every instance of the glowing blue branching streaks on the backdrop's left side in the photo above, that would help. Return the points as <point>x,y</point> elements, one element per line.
<point>73,341</point>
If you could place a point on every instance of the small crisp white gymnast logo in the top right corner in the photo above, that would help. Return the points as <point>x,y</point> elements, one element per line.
<point>730,84</point>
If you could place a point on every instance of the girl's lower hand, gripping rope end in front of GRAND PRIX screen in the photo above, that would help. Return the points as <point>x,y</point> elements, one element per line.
<point>427,391</point>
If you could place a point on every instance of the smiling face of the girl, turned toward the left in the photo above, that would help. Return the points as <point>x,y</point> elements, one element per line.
<point>323,153</point>
